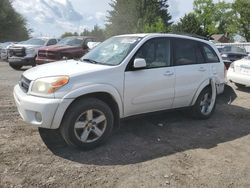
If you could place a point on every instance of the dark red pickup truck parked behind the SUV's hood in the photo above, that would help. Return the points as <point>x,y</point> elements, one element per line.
<point>67,48</point>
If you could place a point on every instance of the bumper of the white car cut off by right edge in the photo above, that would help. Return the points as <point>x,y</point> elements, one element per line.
<point>238,78</point>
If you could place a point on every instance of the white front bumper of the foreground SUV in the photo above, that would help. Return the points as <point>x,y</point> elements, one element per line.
<point>38,111</point>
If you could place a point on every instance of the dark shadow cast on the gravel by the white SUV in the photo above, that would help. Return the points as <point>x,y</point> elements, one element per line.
<point>161,134</point>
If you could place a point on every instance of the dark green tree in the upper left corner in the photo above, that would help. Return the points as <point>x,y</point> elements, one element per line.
<point>12,25</point>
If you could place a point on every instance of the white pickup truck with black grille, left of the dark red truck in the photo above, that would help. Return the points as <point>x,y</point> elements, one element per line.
<point>25,53</point>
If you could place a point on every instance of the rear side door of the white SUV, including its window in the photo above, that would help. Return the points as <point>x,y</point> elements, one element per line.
<point>191,70</point>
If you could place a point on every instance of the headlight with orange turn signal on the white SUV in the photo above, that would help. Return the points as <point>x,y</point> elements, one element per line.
<point>48,85</point>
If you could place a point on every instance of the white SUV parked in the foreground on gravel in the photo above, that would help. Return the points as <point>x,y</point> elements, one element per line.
<point>123,76</point>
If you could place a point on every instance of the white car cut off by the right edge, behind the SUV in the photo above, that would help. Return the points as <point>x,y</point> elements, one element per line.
<point>239,72</point>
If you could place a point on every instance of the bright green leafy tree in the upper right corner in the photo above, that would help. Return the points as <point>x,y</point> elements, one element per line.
<point>242,14</point>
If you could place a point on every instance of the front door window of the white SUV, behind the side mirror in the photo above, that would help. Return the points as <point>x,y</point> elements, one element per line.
<point>156,52</point>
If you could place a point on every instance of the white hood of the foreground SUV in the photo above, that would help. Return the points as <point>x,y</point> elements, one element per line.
<point>70,68</point>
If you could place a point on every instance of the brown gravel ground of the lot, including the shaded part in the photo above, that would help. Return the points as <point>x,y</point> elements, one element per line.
<point>167,149</point>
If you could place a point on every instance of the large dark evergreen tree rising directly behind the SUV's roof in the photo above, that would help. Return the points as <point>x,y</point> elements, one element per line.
<point>131,16</point>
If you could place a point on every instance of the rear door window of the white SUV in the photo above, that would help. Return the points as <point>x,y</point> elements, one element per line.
<point>185,52</point>
